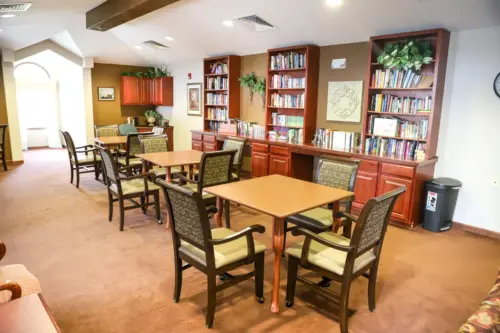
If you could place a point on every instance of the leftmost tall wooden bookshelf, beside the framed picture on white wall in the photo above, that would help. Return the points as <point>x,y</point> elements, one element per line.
<point>229,72</point>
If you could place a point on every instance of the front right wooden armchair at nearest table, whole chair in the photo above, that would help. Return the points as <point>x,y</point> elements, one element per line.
<point>342,259</point>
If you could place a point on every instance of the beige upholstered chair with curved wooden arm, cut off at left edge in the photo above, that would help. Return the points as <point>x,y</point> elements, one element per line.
<point>15,280</point>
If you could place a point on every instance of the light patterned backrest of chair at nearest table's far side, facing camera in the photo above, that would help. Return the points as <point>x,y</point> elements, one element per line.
<point>337,172</point>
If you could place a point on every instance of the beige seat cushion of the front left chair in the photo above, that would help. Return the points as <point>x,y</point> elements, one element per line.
<point>225,254</point>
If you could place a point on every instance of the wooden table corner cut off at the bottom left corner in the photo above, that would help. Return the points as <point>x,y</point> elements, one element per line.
<point>28,314</point>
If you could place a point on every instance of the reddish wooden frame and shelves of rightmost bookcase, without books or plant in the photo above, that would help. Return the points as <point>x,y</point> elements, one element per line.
<point>439,40</point>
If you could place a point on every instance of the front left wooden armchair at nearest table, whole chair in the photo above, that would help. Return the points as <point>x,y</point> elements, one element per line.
<point>211,251</point>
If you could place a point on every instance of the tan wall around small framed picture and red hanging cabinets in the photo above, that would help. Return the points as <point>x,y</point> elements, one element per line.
<point>111,112</point>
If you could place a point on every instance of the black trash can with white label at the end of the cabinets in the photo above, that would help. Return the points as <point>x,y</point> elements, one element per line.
<point>439,203</point>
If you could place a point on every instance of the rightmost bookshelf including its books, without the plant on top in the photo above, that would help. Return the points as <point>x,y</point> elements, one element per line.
<point>416,104</point>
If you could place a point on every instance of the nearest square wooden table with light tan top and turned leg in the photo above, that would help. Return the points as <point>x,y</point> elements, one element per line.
<point>280,197</point>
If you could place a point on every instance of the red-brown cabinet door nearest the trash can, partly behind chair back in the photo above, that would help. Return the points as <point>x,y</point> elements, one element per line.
<point>401,209</point>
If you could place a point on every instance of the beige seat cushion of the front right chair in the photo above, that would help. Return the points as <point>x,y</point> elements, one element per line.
<point>330,259</point>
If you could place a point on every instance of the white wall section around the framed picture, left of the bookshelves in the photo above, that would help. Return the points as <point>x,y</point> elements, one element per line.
<point>177,114</point>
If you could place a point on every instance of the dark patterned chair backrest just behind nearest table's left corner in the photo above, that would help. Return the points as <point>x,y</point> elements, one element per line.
<point>215,168</point>
